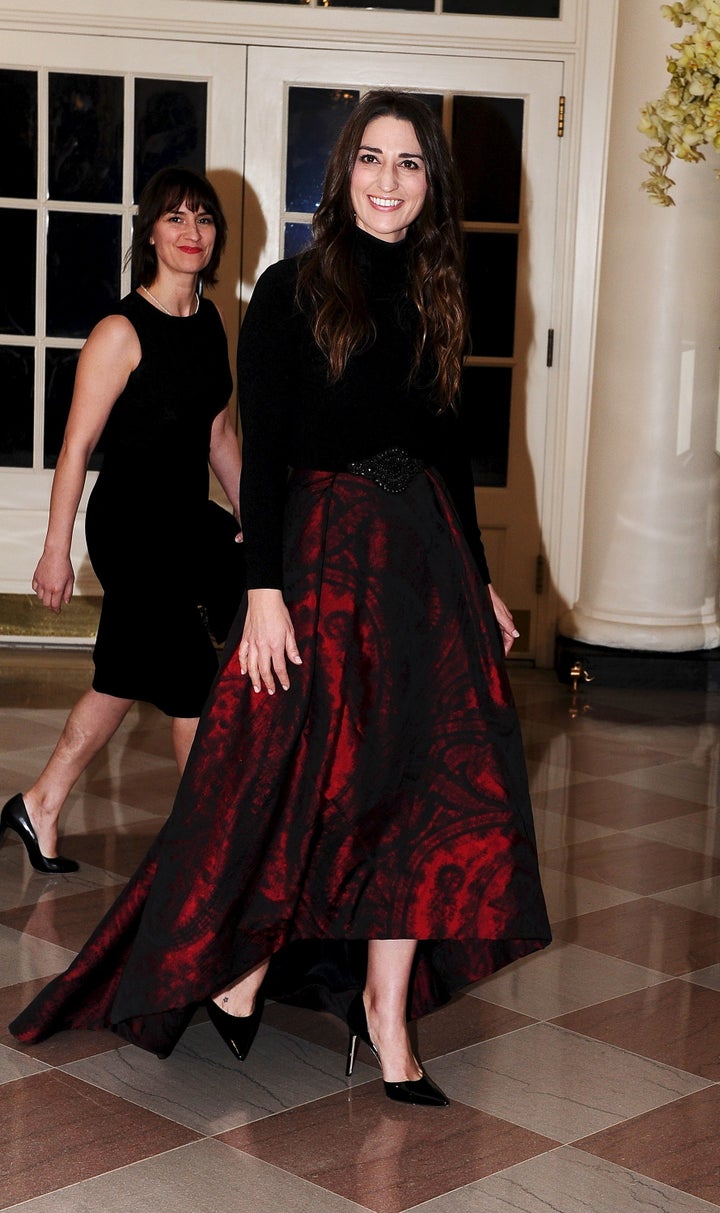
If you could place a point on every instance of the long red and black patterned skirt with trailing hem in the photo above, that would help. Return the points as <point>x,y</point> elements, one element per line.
<point>384,796</point>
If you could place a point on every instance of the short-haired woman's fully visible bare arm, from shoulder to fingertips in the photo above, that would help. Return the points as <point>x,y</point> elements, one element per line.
<point>108,357</point>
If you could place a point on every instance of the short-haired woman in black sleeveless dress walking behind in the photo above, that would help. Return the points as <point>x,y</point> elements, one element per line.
<point>153,378</point>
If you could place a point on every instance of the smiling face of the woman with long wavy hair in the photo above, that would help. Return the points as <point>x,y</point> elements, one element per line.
<point>388,185</point>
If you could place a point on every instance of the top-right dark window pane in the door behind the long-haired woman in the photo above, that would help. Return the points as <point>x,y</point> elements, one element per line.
<point>488,147</point>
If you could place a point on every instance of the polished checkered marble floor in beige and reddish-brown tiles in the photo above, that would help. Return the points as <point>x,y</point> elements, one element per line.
<point>584,1079</point>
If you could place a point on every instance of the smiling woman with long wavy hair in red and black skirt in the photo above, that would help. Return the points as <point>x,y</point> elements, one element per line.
<point>362,841</point>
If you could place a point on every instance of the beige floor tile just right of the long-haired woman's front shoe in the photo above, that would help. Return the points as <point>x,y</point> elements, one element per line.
<point>558,1084</point>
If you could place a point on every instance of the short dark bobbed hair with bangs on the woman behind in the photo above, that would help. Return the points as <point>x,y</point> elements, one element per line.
<point>165,192</point>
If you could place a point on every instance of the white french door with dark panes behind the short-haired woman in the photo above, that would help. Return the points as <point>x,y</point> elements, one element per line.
<point>151,94</point>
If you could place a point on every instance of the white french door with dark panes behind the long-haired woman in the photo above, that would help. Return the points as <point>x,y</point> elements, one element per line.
<point>507,107</point>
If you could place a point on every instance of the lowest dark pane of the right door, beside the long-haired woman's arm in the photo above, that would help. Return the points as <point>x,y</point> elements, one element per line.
<point>487,411</point>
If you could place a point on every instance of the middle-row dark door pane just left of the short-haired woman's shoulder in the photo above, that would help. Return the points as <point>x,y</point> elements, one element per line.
<point>83,271</point>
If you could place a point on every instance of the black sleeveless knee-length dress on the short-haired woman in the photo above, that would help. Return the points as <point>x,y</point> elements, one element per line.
<point>147,516</point>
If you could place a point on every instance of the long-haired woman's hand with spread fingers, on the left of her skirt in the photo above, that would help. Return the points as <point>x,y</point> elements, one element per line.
<point>268,639</point>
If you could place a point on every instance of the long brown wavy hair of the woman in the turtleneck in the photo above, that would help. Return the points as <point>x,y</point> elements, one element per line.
<point>329,286</point>
